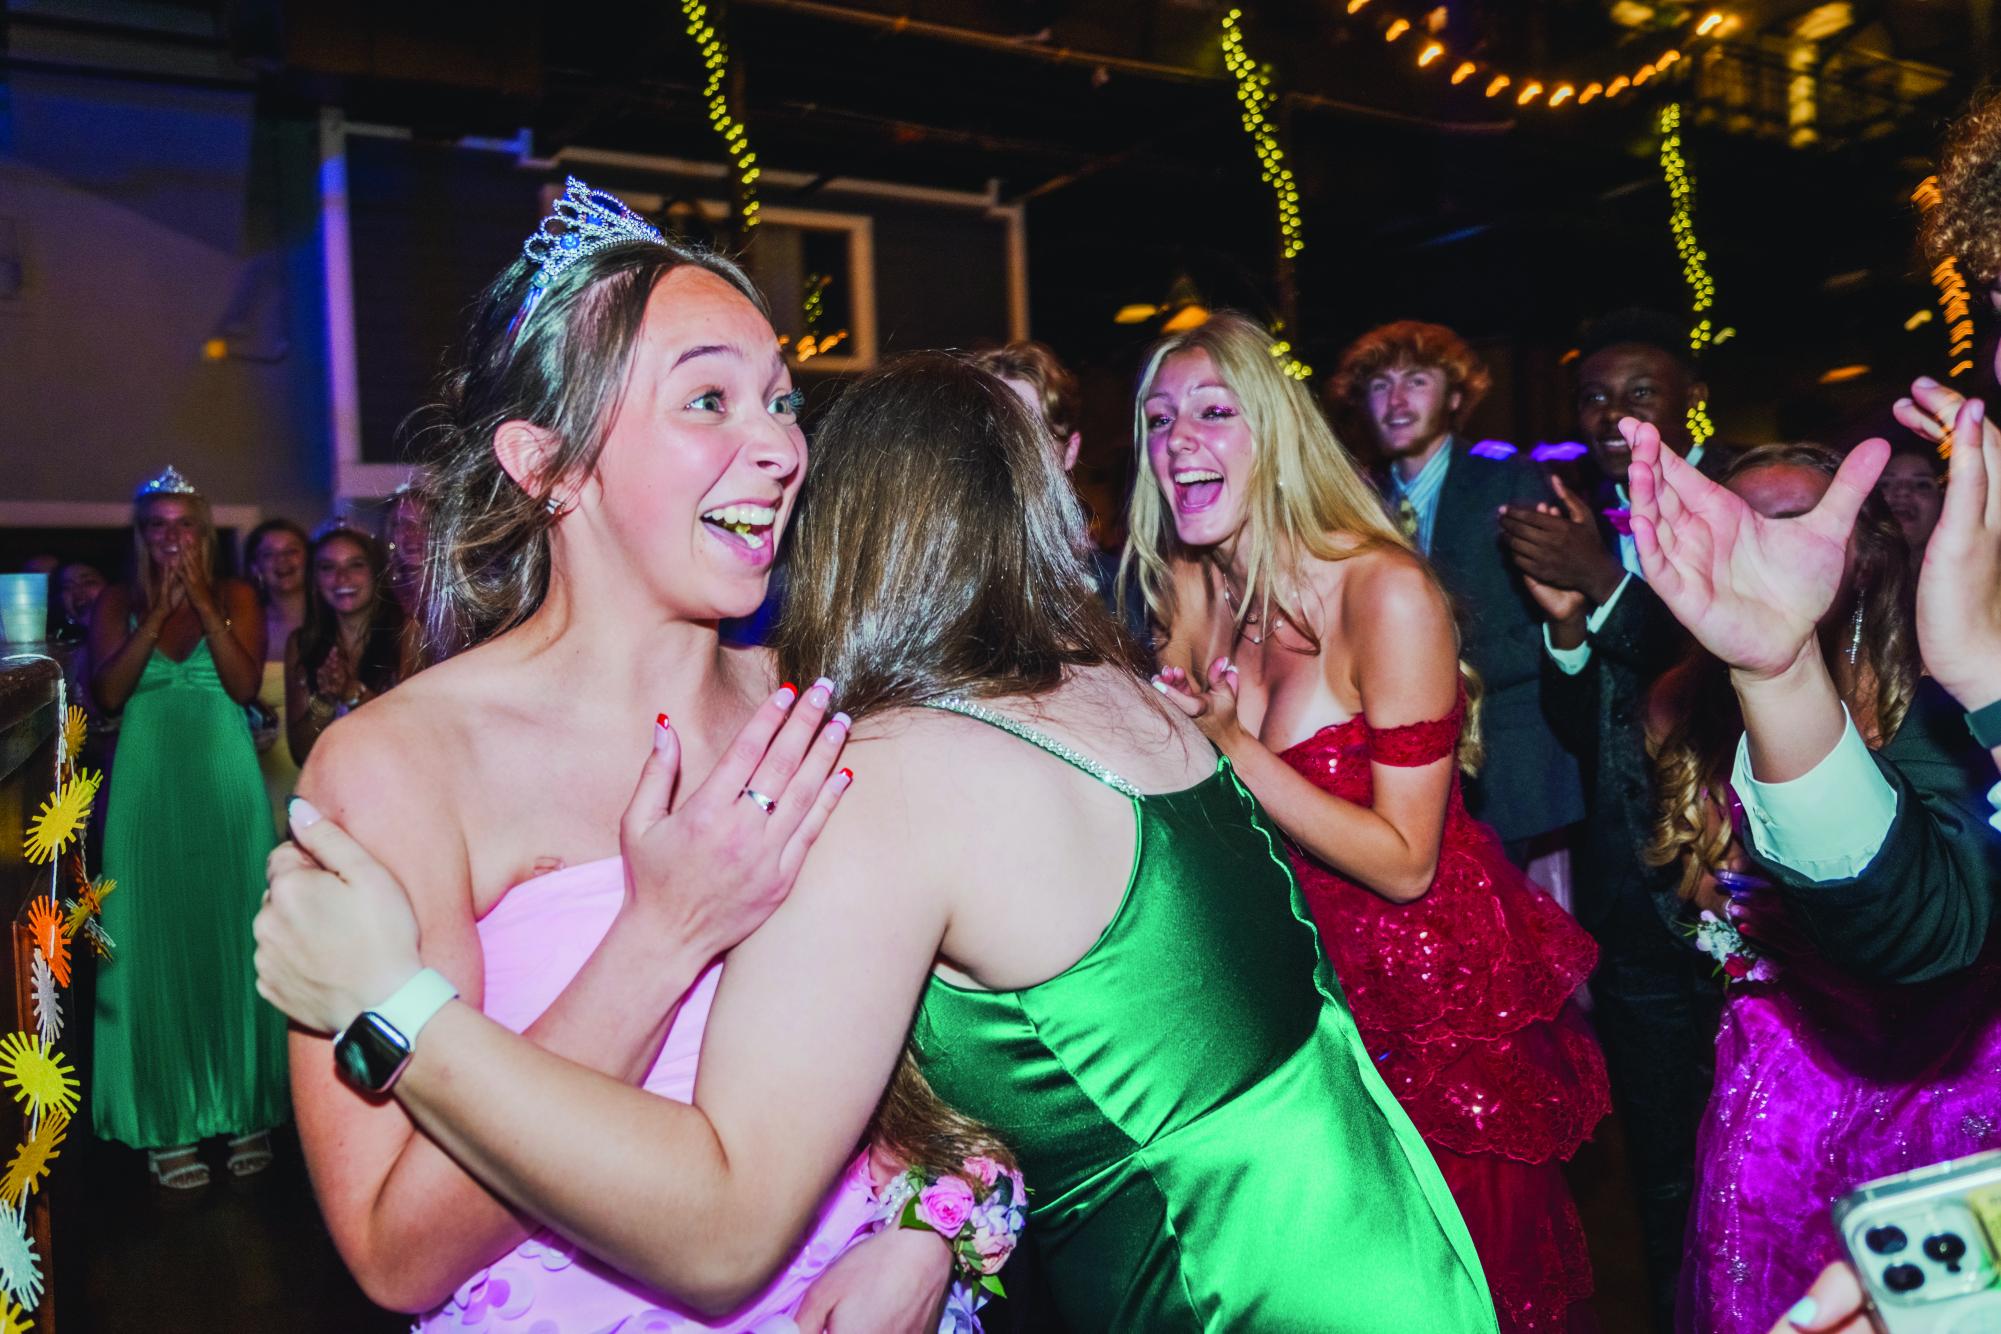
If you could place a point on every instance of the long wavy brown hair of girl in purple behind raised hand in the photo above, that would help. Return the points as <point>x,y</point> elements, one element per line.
<point>1696,751</point>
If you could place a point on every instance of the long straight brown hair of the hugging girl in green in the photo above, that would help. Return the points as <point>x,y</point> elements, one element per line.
<point>937,551</point>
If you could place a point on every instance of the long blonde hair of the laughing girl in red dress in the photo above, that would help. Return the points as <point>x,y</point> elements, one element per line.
<point>1306,493</point>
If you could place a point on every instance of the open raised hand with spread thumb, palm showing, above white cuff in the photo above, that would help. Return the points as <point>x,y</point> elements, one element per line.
<point>1750,589</point>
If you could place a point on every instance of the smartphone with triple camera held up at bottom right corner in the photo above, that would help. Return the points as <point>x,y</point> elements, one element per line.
<point>1926,1245</point>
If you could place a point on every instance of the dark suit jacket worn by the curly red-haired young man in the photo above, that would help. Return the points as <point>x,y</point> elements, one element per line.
<point>1530,783</point>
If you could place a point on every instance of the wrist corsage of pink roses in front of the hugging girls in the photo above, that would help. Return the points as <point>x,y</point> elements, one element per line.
<point>979,1213</point>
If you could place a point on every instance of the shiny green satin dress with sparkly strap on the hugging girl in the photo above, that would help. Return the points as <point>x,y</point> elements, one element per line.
<point>1206,1139</point>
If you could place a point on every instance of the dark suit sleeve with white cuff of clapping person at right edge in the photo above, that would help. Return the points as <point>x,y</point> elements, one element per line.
<point>1926,901</point>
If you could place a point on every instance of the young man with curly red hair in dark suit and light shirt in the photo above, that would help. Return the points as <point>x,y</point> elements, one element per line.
<point>1418,383</point>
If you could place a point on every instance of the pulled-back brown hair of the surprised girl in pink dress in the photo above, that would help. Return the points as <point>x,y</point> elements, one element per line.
<point>561,367</point>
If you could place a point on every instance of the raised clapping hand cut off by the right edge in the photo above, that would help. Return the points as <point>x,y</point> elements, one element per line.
<point>1960,587</point>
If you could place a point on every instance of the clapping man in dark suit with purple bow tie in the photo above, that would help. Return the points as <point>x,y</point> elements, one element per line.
<point>1608,641</point>
